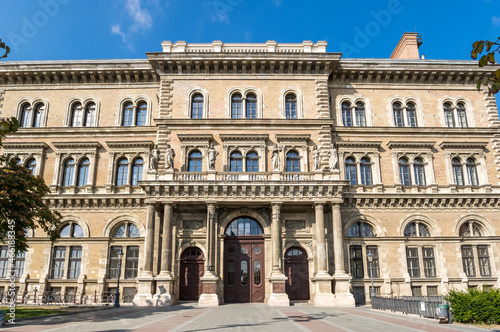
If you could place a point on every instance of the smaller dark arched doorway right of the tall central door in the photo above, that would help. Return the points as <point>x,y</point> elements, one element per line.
<point>297,271</point>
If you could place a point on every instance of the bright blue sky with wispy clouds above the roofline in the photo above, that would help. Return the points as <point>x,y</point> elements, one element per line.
<point>127,29</point>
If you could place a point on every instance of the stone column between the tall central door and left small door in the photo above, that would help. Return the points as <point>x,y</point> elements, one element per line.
<point>210,280</point>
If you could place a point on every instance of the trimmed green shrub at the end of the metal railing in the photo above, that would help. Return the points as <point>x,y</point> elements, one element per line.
<point>475,305</point>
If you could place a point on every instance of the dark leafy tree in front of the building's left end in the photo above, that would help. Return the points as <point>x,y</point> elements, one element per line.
<point>22,204</point>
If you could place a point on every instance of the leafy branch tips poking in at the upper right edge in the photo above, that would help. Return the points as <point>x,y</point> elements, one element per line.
<point>492,47</point>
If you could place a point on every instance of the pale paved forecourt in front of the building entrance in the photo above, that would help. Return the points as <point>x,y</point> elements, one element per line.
<point>236,317</point>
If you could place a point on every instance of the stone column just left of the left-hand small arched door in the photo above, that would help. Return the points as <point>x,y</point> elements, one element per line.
<point>164,281</point>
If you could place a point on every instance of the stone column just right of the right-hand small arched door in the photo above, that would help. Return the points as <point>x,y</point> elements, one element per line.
<point>322,281</point>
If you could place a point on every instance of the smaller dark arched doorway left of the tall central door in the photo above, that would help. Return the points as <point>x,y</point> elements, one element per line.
<point>192,270</point>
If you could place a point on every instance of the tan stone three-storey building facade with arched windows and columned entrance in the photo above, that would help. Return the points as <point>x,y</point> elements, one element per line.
<point>258,173</point>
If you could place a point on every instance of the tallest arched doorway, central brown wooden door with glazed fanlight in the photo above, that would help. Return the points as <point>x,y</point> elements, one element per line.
<point>244,262</point>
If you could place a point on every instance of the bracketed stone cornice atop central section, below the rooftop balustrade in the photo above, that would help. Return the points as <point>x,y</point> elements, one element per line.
<point>241,63</point>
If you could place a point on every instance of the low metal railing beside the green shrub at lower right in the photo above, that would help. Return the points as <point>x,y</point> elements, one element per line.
<point>425,306</point>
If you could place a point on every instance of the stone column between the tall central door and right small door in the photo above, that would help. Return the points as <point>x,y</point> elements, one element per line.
<point>278,295</point>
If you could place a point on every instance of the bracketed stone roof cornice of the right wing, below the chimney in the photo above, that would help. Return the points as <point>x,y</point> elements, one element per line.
<point>377,71</point>
